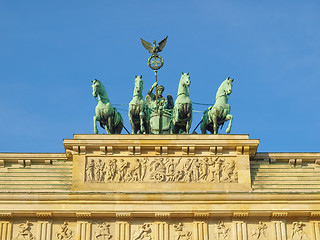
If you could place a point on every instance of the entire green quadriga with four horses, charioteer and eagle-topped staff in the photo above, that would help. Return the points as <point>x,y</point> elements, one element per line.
<point>157,114</point>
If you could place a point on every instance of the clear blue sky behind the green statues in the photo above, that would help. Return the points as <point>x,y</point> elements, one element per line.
<point>51,50</point>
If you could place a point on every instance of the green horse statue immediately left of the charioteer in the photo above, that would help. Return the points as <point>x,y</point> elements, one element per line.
<point>138,110</point>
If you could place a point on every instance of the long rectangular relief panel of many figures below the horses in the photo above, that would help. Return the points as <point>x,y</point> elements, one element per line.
<point>183,170</point>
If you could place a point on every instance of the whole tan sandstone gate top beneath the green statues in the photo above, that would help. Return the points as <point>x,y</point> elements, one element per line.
<point>160,187</point>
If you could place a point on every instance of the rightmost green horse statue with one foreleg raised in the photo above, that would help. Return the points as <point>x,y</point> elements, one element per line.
<point>219,113</point>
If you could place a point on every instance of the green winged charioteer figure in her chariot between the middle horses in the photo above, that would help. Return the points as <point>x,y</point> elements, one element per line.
<point>160,110</point>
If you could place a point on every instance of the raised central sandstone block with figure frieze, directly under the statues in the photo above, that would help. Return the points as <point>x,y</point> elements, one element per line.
<point>161,163</point>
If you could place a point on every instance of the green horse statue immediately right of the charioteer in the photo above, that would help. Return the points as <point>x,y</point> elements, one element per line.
<point>182,111</point>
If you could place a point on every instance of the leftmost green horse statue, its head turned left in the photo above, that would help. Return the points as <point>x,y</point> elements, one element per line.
<point>107,116</point>
